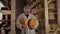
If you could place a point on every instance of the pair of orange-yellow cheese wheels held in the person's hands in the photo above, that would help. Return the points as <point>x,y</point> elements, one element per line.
<point>30,23</point>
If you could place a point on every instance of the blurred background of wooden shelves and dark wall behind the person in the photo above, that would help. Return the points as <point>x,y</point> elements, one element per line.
<point>46,11</point>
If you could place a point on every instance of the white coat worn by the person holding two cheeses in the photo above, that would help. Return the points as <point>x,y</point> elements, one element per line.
<point>26,30</point>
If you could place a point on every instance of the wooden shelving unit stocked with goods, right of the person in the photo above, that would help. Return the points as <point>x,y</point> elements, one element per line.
<point>46,12</point>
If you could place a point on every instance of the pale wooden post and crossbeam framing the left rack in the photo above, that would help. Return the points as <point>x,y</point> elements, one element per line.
<point>12,13</point>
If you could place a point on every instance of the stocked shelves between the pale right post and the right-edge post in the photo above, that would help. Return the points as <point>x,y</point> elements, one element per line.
<point>53,22</point>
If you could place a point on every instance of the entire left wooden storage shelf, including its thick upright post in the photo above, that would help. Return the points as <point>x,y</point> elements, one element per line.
<point>8,17</point>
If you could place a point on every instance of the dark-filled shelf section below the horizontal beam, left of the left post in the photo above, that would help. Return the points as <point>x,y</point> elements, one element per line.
<point>6,20</point>
